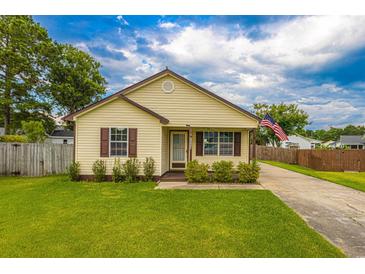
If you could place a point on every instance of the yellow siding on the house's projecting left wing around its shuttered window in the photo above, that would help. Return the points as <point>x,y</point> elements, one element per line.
<point>116,113</point>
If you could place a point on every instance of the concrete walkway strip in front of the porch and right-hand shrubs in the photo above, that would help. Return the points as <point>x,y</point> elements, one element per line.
<point>185,185</point>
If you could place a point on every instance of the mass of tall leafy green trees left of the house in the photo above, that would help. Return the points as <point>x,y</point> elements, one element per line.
<point>40,78</point>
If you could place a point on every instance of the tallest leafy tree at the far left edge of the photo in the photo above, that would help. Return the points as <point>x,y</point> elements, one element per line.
<point>24,47</point>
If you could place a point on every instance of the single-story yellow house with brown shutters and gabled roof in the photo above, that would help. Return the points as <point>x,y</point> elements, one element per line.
<point>166,117</point>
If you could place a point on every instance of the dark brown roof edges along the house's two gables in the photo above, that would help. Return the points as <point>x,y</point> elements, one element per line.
<point>162,73</point>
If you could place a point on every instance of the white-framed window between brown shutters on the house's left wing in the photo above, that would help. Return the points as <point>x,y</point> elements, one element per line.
<point>118,142</point>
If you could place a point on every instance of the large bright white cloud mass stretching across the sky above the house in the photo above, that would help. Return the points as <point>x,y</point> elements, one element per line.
<point>244,70</point>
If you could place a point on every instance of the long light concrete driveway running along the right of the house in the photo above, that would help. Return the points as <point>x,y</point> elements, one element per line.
<point>335,211</point>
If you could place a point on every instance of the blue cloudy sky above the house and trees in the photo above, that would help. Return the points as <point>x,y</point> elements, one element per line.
<point>317,62</point>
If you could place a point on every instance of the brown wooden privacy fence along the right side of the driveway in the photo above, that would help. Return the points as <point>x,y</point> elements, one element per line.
<point>318,159</point>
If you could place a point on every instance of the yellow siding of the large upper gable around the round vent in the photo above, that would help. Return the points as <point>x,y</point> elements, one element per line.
<point>188,106</point>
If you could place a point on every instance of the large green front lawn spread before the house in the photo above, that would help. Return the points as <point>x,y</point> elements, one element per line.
<point>53,217</point>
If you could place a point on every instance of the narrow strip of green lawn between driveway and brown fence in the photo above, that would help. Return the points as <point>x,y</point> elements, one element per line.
<point>355,180</point>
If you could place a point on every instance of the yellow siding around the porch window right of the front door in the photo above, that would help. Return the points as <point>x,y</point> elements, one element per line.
<point>209,159</point>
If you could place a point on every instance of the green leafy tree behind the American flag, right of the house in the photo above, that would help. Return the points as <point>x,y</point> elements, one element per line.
<point>289,117</point>
